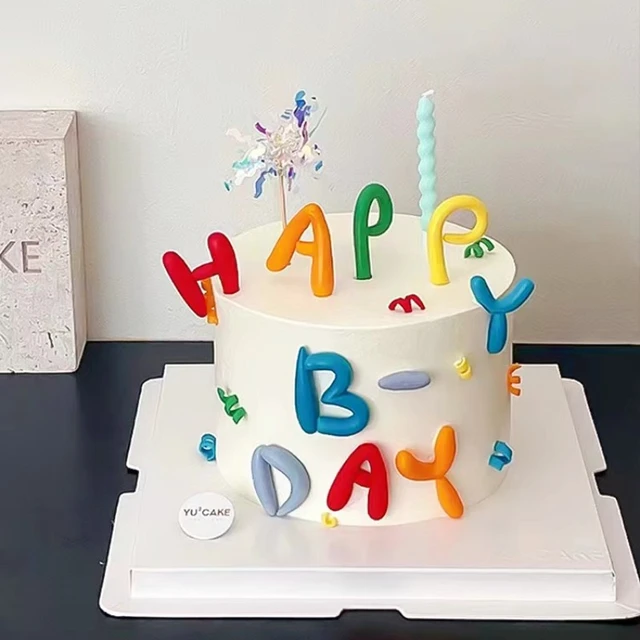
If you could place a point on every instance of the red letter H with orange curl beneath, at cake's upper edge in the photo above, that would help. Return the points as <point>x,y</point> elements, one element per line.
<point>223,264</point>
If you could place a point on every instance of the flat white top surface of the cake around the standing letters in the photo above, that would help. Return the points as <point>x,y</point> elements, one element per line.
<point>399,267</point>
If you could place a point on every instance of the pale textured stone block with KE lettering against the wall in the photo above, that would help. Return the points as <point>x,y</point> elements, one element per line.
<point>43,324</point>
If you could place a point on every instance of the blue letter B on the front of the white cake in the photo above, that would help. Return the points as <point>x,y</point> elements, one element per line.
<point>306,397</point>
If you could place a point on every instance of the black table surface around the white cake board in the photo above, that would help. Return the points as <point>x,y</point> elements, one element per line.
<point>63,444</point>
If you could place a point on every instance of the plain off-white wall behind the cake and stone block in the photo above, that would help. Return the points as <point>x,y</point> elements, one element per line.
<point>538,115</point>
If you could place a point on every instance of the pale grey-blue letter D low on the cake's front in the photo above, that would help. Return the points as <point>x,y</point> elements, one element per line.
<point>263,459</point>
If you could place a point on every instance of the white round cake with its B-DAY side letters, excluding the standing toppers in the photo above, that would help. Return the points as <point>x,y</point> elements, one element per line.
<point>411,394</point>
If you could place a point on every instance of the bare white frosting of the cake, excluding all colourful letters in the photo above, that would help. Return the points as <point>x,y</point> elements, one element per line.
<point>263,326</point>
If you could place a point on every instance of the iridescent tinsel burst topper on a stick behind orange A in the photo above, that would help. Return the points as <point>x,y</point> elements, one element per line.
<point>280,152</point>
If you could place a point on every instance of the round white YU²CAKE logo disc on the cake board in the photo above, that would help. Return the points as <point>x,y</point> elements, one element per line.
<point>206,516</point>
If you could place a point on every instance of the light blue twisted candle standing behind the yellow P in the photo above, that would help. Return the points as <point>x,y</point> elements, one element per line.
<point>427,156</point>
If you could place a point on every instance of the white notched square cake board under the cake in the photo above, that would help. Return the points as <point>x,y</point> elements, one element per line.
<point>545,546</point>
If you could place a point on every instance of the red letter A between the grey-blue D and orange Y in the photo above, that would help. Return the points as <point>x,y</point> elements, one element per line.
<point>352,472</point>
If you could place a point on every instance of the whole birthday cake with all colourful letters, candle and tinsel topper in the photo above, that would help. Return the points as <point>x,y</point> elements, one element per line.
<point>363,359</point>
